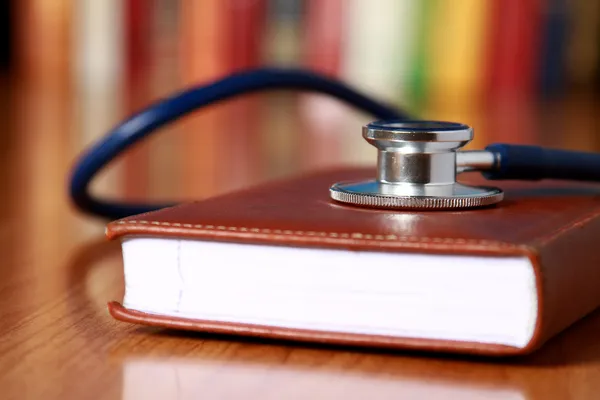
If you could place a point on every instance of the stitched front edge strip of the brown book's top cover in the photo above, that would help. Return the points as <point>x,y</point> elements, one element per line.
<point>355,235</point>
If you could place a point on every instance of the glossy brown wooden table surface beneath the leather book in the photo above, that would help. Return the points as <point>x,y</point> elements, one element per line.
<point>58,341</point>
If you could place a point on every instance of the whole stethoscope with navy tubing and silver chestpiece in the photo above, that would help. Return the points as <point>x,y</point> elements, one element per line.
<point>417,161</point>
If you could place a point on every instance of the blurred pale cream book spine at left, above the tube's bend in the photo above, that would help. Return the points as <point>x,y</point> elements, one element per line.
<point>98,59</point>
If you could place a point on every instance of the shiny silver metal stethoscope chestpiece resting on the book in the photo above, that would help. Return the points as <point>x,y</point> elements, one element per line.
<point>416,169</point>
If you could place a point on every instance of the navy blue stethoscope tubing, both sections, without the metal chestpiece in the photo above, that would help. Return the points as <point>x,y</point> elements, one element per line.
<point>518,162</point>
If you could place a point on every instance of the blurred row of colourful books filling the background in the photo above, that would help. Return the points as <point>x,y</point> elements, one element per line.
<point>524,71</point>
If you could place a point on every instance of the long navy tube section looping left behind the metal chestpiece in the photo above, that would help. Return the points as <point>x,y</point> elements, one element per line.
<point>159,114</point>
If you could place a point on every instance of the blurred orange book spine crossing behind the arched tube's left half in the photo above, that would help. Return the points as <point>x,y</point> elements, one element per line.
<point>203,59</point>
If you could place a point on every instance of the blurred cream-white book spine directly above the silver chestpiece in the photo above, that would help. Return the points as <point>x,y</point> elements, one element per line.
<point>377,58</point>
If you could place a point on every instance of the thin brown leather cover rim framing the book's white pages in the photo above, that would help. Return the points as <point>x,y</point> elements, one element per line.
<point>352,339</point>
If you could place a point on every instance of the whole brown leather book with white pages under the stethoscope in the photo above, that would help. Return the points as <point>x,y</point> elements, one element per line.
<point>283,261</point>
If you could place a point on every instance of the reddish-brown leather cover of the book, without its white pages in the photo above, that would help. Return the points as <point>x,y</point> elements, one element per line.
<point>553,223</point>
